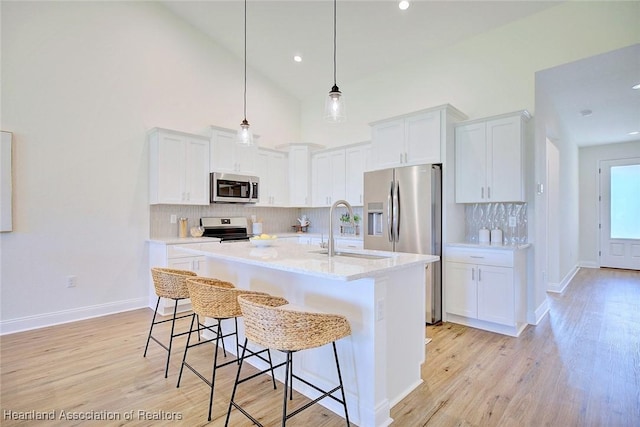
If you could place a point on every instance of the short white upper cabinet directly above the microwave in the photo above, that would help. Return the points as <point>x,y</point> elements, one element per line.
<point>228,156</point>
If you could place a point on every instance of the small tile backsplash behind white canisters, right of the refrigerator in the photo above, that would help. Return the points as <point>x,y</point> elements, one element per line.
<point>511,218</point>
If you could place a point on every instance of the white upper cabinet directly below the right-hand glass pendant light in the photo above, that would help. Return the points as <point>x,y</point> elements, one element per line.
<point>328,177</point>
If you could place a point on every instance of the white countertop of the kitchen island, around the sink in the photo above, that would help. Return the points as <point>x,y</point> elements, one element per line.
<point>304,259</point>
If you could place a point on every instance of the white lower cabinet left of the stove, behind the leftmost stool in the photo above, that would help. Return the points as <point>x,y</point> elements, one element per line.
<point>165,255</point>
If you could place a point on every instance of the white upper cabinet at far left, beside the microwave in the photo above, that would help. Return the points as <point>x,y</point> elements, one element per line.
<point>179,168</point>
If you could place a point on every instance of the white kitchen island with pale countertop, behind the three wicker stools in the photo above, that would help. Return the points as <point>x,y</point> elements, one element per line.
<point>383,298</point>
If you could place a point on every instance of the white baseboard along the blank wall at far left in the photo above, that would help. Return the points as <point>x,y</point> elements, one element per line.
<point>65,316</point>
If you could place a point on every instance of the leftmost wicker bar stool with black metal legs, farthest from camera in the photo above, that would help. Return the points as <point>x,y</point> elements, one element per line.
<point>169,283</point>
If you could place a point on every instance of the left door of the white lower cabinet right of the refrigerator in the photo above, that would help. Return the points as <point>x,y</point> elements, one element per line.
<point>461,289</point>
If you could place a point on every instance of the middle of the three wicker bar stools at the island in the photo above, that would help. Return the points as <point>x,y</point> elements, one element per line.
<point>218,299</point>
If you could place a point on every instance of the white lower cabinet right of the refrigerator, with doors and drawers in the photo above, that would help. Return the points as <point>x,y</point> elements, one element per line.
<point>486,288</point>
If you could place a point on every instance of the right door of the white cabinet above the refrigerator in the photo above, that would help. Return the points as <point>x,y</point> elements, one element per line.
<point>422,138</point>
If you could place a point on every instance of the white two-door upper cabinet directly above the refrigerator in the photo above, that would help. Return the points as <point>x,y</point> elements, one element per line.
<point>417,138</point>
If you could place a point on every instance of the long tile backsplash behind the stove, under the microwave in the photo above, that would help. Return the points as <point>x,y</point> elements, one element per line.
<point>275,220</point>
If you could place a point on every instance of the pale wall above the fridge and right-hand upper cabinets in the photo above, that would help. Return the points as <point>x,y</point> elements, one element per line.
<point>489,74</point>
